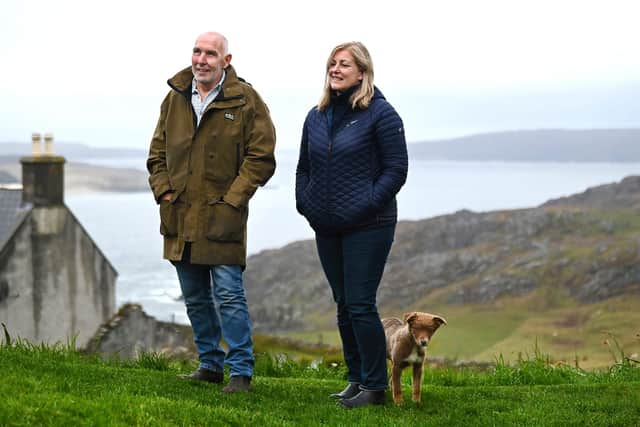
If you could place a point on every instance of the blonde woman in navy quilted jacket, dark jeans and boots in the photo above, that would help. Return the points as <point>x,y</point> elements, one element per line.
<point>353,161</point>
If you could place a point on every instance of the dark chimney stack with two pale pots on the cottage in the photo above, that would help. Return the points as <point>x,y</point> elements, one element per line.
<point>43,174</point>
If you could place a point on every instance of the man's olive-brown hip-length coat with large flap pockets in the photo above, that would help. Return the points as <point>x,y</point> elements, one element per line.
<point>211,169</point>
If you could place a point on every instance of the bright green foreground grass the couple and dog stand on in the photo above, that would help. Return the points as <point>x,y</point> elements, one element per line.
<point>57,385</point>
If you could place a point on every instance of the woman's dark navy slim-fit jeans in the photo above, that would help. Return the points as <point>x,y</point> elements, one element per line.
<point>353,263</point>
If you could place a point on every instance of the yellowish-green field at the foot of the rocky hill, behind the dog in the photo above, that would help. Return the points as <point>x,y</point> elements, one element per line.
<point>568,332</point>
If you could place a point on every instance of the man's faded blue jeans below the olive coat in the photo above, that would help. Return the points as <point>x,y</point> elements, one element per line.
<point>200,284</point>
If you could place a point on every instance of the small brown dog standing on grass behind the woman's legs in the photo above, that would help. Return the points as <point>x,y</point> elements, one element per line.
<point>406,345</point>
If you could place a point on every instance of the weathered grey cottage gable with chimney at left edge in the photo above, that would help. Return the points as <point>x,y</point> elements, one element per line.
<point>55,283</point>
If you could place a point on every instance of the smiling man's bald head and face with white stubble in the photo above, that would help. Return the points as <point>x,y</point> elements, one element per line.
<point>209,59</point>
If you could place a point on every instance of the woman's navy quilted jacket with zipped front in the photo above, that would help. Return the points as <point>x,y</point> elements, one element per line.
<point>349,172</point>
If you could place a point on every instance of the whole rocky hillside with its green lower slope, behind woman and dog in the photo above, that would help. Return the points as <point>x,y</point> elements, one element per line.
<point>559,275</point>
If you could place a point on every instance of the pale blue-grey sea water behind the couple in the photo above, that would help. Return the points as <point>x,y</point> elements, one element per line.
<point>126,226</point>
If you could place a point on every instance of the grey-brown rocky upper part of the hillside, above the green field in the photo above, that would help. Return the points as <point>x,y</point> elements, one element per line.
<point>586,245</point>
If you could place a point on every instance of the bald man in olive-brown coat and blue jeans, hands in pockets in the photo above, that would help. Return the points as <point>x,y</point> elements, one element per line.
<point>212,147</point>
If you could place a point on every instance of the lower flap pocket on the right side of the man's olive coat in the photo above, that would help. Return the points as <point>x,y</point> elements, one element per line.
<point>225,223</point>
